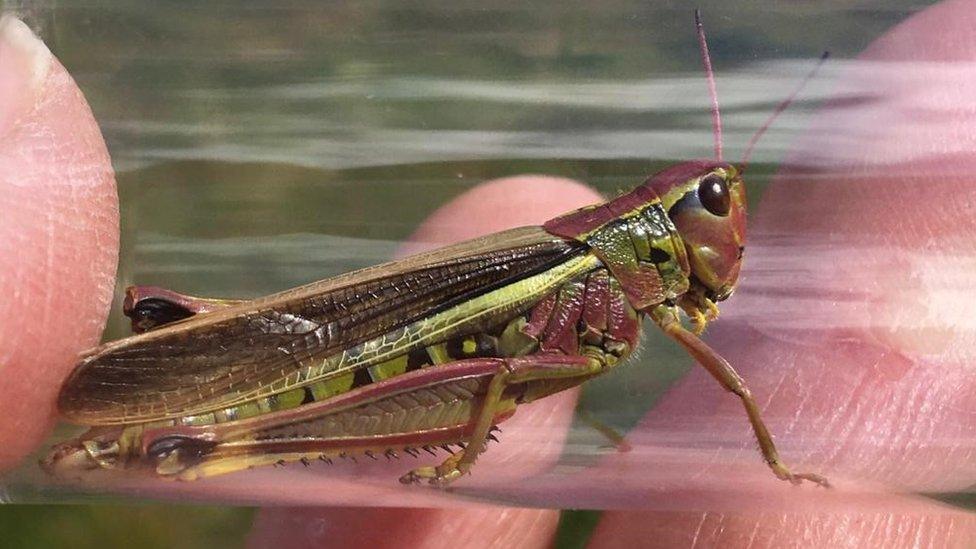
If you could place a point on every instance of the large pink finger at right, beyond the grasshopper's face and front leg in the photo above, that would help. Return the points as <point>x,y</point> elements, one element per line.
<point>855,335</point>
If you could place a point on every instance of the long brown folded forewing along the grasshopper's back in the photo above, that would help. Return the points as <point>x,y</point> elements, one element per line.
<point>220,358</point>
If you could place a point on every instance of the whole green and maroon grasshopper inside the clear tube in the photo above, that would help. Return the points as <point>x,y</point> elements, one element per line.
<point>432,350</point>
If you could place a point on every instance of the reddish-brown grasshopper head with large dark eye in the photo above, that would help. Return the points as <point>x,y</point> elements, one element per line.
<point>706,201</point>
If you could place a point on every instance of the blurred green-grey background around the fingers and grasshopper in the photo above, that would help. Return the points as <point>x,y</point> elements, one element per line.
<point>262,145</point>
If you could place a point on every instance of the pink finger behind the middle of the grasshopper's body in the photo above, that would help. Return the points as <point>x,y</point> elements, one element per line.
<point>530,441</point>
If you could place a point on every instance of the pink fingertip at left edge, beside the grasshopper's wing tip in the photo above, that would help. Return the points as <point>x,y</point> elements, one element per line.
<point>58,235</point>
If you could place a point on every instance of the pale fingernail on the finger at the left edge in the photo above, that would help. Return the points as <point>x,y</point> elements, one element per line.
<point>24,65</point>
